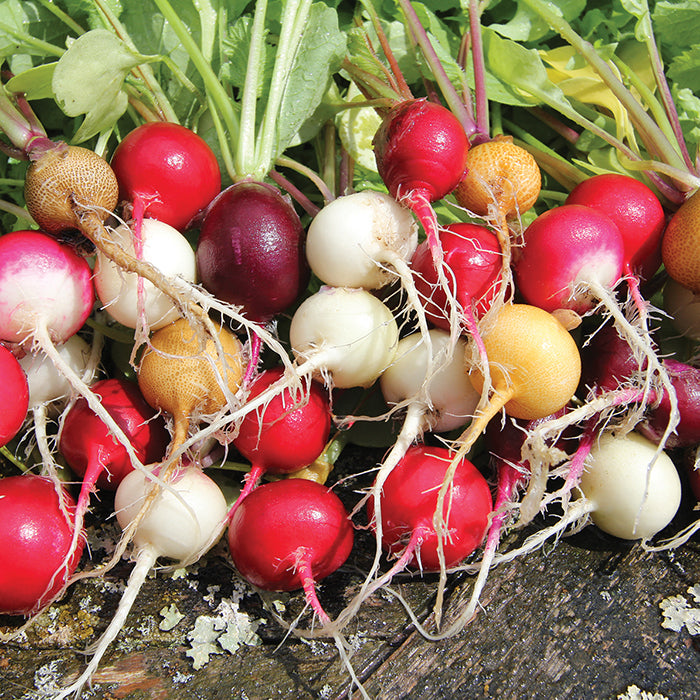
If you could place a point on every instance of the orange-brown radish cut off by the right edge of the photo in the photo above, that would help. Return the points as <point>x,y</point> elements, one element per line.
<point>679,246</point>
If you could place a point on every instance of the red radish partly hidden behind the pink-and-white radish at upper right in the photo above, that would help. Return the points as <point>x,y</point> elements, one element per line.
<point>635,209</point>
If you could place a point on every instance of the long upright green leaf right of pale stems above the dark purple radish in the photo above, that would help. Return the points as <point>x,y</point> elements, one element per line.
<point>319,56</point>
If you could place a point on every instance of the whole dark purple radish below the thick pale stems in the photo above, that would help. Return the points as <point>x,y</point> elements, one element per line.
<point>251,250</point>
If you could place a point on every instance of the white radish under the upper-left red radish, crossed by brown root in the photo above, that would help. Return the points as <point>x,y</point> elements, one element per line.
<point>131,300</point>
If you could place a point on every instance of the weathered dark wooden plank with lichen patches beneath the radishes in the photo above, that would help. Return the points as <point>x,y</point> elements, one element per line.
<point>579,619</point>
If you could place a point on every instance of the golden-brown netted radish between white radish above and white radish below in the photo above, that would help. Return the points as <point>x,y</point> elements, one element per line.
<point>188,379</point>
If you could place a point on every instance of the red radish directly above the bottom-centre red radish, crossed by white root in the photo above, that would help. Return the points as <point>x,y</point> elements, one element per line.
<point>278,439</point>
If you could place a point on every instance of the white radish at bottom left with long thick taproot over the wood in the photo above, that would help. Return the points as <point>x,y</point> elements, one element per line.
<point>180,521</point>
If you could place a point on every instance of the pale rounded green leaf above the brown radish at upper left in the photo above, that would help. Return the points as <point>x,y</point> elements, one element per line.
<point>89,79</point>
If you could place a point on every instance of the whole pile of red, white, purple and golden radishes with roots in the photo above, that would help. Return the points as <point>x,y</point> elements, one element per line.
<point>535,336</point>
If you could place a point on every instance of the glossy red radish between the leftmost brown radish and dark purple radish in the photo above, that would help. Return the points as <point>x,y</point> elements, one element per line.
<point>171,168</point>
